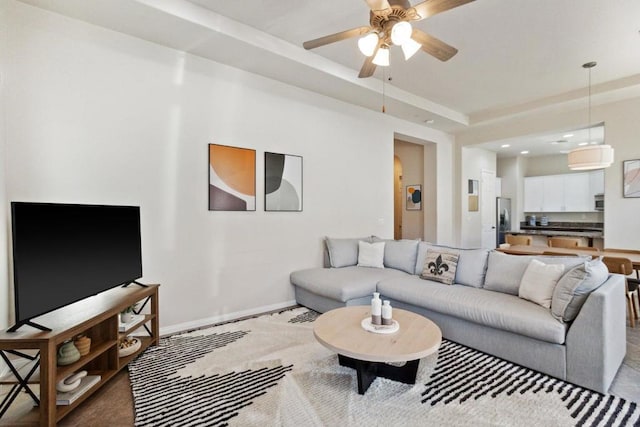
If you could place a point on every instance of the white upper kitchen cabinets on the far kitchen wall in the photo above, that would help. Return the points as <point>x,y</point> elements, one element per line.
<point>563,193</point>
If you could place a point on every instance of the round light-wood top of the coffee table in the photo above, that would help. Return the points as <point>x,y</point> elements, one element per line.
<point>339,330</point>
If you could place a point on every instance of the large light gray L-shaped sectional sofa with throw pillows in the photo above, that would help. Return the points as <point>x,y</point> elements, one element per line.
<point>580,337</point>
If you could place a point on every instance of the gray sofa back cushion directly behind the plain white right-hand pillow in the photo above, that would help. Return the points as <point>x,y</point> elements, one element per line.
<point>505,271</point>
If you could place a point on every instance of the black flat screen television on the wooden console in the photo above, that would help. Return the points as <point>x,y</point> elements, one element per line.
<point>63,253</point>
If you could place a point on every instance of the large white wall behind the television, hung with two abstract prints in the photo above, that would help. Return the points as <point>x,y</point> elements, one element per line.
<point>94,116</point>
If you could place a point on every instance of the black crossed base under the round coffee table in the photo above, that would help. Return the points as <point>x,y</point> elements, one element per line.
<point>368,371</point>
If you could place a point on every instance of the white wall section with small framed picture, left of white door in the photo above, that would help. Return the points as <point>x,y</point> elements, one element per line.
<point>474,160</point>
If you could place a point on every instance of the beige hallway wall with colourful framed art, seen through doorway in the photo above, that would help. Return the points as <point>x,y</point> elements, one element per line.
<point>412,158</point>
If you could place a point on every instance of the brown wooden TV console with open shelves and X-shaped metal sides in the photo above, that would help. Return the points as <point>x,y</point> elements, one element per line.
<point>95,317</point>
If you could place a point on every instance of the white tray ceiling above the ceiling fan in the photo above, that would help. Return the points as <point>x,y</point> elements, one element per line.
<point>514,56</point>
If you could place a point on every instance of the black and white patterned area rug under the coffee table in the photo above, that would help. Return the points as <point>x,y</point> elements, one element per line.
<point>270,371</point>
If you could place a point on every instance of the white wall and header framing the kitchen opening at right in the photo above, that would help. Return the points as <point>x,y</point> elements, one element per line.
<point>622,128</point>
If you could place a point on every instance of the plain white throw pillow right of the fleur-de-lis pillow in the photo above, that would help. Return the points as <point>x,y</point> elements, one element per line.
<point>539,281</point>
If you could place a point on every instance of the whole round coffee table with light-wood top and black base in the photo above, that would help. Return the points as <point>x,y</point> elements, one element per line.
<point>370,353</point>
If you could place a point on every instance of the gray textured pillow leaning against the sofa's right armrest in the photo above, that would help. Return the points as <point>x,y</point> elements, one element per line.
<point>574,288</point>
